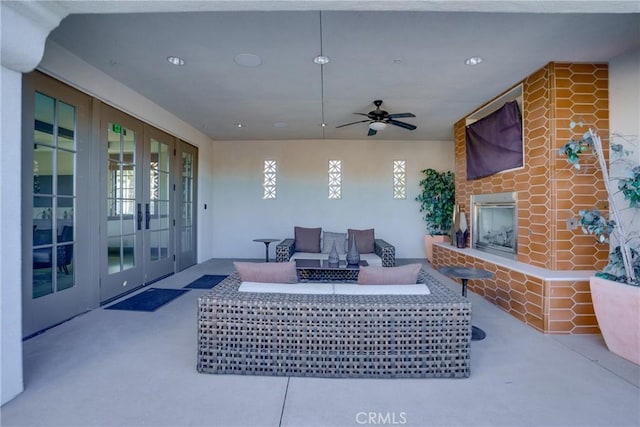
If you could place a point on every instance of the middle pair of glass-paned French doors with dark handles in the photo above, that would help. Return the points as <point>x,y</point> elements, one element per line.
<point>138,245</point>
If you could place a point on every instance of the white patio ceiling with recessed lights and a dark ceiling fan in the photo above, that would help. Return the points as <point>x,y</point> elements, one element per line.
<point>412,60</point>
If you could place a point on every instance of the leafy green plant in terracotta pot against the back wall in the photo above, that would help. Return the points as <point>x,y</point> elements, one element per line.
<point>437,199</point>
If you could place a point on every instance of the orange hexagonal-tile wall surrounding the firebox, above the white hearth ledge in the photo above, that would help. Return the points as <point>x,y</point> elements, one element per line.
<point>549,191</point>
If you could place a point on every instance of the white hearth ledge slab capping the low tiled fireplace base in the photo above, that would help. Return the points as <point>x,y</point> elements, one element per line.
<point>542,273</point>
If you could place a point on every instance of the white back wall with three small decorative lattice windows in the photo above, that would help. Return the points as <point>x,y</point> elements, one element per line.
<point>241,214</point>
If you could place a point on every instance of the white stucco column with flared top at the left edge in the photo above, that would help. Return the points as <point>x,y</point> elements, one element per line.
<point>25,27</point>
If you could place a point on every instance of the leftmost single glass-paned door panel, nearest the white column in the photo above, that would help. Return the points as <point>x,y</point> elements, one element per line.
<point>56,276</point>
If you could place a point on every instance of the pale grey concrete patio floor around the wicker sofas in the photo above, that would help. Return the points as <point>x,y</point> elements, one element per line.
<point>128,368</point>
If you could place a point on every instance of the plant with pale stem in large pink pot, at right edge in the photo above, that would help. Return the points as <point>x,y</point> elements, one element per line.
<point>615,290</point>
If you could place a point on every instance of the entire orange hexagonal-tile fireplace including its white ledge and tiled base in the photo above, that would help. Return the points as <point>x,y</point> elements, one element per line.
<point>547,285</point>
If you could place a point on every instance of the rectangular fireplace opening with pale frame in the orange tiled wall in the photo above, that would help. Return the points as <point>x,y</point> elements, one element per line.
<point>494,226</point>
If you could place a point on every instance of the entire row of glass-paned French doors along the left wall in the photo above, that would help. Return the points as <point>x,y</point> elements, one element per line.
<point>109,203</point>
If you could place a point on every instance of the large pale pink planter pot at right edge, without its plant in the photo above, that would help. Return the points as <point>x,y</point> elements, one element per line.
<point>617,308</point>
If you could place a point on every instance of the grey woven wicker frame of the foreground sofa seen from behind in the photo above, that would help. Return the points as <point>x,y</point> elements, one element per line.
<point>354,336</point>
